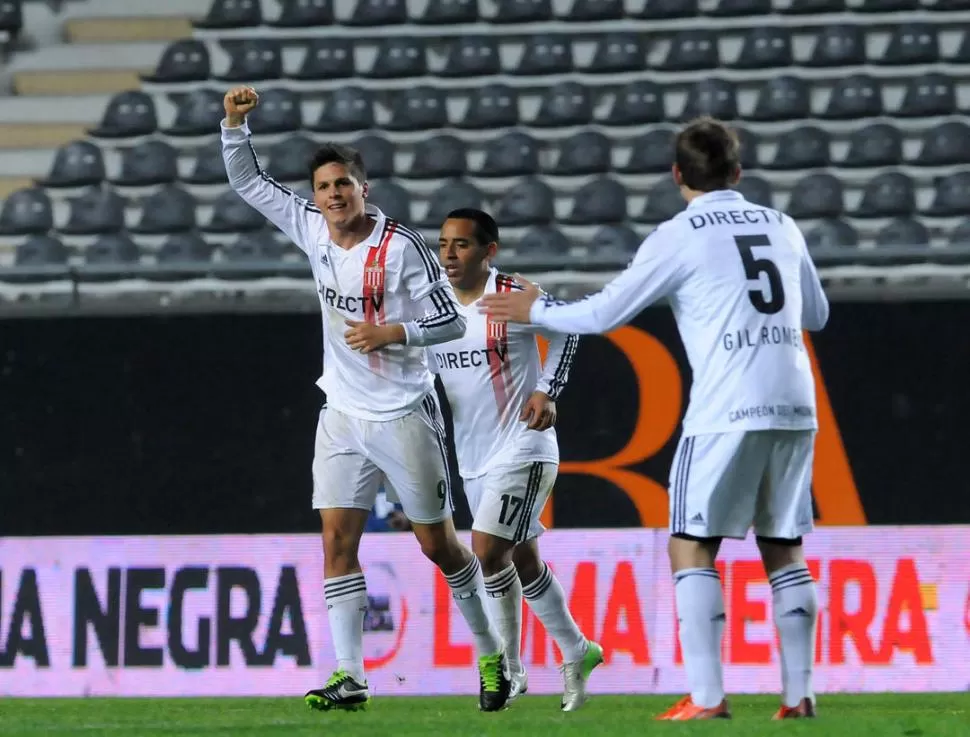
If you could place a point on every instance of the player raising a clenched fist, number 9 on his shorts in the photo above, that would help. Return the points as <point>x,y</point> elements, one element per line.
<point>384,299</point>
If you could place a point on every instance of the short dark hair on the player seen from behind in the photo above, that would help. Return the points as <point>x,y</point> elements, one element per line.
<point>708,155</point>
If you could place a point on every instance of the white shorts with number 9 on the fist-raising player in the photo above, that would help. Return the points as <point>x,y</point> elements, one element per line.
<point>353,457</point>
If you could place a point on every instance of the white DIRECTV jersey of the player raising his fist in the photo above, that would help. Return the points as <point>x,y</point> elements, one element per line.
<point>391,277</point>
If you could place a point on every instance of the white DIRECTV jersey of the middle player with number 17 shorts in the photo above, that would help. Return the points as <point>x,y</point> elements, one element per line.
<point>488,376</point>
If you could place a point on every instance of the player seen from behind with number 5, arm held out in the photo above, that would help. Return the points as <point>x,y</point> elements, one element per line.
<point>743,288</point>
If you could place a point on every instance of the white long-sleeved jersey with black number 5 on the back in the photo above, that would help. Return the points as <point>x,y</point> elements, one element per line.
<point>742,287</point>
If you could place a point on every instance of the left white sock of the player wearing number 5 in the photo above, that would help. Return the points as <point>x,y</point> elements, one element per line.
<point>700,613</point>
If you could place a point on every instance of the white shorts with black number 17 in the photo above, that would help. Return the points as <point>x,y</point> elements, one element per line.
<point>507,500</point>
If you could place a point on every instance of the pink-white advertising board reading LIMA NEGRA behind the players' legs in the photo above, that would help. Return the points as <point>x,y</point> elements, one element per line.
<point>245,615</point>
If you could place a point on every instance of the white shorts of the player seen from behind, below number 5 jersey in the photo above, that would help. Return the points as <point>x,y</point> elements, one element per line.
<point>723,484</point>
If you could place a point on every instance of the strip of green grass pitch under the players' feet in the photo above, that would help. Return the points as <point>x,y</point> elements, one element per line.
<point>881,715</point>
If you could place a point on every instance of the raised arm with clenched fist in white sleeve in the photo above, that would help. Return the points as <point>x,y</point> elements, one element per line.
<point>286,210</point>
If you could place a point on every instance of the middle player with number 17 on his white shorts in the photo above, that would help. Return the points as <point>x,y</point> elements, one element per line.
<point>503,403</point>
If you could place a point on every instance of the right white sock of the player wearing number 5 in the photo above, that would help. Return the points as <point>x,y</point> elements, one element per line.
<point>794,603</point>
